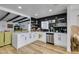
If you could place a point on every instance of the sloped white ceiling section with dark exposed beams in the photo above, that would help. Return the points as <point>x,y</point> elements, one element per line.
<point>10,17</point>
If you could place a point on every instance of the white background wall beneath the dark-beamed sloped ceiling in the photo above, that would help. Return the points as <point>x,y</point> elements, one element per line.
<point>24,25</point>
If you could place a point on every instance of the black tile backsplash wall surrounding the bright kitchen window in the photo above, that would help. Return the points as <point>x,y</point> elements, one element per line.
<point>60,18</point>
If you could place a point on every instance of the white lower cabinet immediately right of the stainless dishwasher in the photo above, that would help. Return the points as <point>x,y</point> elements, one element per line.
<point>60,39</point>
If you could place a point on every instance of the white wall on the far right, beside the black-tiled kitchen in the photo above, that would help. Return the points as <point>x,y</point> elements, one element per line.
<point>72,19</point>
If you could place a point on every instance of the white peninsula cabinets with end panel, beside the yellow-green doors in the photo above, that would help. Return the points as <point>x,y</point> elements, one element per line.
<point>21,39</point>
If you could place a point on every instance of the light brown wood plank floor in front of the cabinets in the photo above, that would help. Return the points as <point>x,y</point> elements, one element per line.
<point>36,47</point>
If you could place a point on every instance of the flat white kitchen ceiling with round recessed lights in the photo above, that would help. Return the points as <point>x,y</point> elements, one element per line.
<point>36,10</point>
